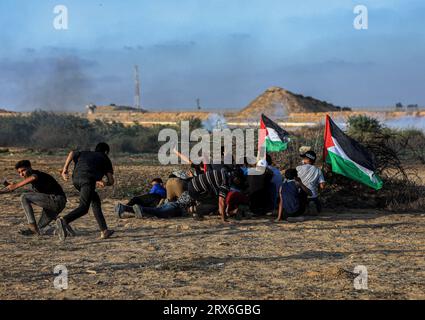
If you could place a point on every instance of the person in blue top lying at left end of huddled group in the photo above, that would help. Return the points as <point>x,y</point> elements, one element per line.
<point>151,199</point>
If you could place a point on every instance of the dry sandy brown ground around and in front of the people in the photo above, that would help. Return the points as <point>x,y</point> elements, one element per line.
<point>187,259</point>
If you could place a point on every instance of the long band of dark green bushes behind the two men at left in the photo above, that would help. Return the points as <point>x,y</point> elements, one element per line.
<point>48,131</point>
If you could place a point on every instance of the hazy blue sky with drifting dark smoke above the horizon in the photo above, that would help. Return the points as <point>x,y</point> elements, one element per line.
<point>224,52</point>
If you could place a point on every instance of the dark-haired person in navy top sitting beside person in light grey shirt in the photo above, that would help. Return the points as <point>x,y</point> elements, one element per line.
<point>292,196</point>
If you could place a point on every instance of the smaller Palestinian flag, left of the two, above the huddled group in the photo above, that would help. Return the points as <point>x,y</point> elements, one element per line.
<point>275,138</point>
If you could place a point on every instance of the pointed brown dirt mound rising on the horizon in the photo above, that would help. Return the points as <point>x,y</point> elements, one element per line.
<point>279,103</point>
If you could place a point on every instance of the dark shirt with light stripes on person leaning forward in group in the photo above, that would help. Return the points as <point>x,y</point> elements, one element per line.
<point>216,181</point>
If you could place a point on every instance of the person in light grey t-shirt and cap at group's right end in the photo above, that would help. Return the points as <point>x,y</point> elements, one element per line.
<point>312,177</point>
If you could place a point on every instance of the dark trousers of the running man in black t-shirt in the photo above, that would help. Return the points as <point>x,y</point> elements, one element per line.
<point>88,197</point>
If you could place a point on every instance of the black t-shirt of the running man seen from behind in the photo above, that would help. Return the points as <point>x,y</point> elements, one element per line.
<point>91,165</point>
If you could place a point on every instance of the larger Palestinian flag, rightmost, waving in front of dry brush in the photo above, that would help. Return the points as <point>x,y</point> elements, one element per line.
<point>348,158</point>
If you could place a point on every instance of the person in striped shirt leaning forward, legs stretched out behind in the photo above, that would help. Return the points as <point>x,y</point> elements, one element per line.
<point>216,182</point>
